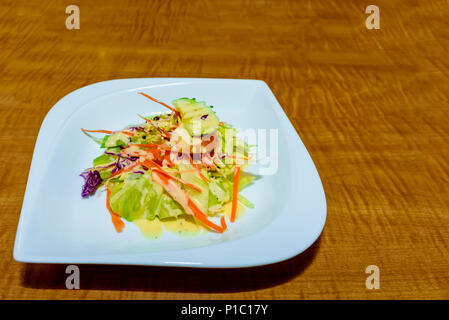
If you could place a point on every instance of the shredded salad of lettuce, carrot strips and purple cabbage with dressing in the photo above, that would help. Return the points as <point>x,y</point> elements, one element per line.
<point>185,162</point>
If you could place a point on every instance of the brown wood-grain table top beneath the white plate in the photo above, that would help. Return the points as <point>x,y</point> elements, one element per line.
<point>370,105</point>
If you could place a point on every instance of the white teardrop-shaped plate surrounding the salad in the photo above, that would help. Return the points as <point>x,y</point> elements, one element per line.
<point>58,226</point>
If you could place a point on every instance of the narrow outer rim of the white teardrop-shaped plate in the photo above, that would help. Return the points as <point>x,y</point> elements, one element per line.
<point>98,89</point>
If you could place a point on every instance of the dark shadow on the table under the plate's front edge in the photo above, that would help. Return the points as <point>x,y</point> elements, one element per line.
<point>171,279</point>
